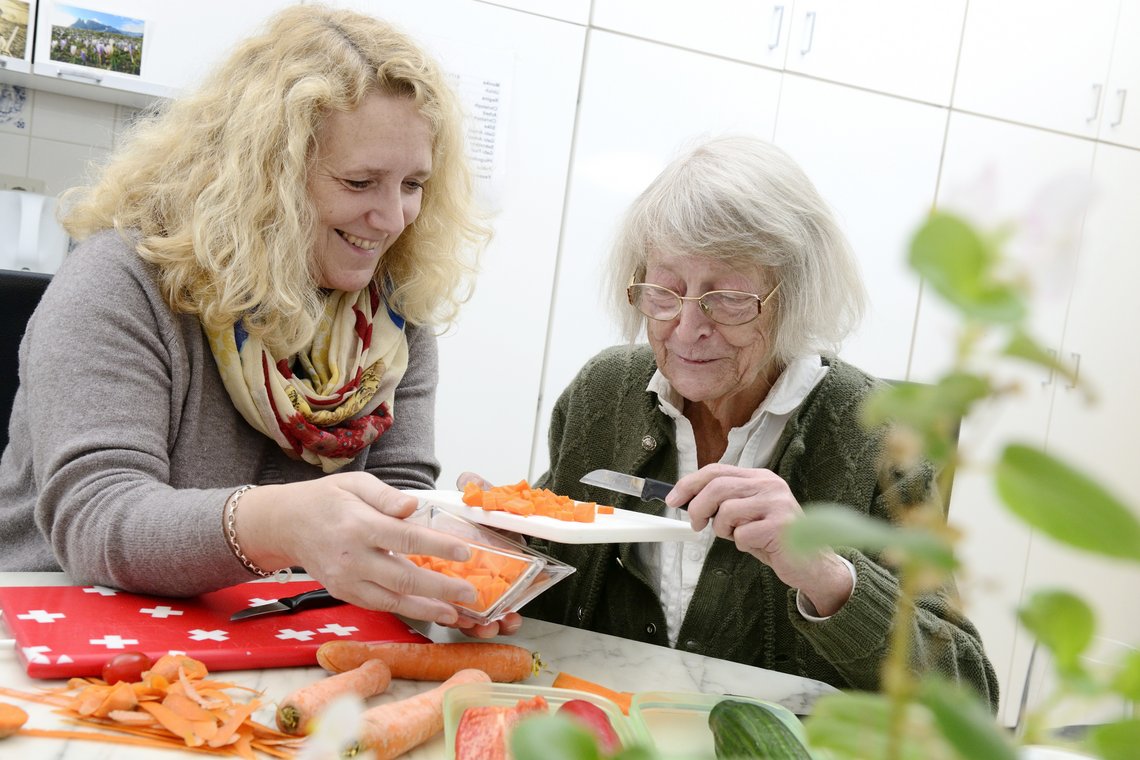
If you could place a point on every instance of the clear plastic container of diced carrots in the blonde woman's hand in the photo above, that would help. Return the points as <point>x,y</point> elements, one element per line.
<point>510,574</point>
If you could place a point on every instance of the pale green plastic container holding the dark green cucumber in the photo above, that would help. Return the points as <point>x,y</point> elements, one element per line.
<point>678,723</point>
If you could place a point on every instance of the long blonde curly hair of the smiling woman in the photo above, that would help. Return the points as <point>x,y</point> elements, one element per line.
<point>214,186</point>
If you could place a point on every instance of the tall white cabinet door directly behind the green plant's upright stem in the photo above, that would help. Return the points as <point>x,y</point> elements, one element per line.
<point>997,171</point>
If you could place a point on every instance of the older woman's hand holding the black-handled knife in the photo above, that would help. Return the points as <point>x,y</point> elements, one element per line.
<point>752,508</point>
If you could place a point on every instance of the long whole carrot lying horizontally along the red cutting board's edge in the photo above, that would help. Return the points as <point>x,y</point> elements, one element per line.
<point>434,663</point>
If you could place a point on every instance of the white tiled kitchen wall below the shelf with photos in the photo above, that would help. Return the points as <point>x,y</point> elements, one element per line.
<point>51,138</point>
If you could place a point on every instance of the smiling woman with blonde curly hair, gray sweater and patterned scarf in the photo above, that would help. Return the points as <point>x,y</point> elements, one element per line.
<point>242,346</point>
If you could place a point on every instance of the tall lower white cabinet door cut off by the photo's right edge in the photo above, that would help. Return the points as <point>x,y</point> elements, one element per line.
<point>1098,436</point>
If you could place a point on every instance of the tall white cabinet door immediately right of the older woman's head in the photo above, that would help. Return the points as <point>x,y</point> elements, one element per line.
<point>875,159</point>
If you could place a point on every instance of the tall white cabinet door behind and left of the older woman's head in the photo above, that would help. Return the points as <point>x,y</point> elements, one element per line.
<point>642,103</point>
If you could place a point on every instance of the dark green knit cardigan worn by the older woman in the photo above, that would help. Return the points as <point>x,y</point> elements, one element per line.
<point>740,610</point>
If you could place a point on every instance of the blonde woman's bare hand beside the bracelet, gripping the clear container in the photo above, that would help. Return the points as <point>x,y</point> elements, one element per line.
<point>345,530</point>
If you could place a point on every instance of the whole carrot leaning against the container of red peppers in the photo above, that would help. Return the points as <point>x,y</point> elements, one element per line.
<point>393,729</point>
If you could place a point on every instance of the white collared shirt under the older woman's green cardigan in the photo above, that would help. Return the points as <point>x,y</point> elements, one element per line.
<point>677,567</point>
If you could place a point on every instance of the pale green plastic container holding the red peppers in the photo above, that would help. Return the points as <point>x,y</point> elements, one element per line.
<point>459,699</point>
